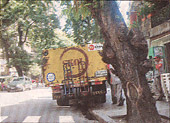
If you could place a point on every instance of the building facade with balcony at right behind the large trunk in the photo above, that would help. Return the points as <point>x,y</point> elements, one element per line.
<point>156,29</point>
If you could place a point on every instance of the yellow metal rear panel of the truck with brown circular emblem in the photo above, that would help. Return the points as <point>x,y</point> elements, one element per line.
<point>73,55</point>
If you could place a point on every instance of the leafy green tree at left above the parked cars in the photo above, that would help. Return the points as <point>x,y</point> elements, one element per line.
<point>26,23</point>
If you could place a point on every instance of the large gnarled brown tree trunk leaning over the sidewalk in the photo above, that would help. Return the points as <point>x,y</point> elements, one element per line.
<point>127,51</point>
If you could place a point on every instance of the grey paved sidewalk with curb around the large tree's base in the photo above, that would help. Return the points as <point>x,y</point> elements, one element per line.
<point>108,113</point>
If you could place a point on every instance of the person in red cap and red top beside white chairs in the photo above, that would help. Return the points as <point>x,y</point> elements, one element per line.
<point>159,69</point>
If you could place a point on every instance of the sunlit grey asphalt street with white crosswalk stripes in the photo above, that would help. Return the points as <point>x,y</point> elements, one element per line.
<point>36,105</point>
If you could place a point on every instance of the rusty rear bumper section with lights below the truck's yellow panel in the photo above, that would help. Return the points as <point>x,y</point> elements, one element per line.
<point>78,92</point>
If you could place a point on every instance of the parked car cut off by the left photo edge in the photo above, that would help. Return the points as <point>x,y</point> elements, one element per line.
<point>4,81</point>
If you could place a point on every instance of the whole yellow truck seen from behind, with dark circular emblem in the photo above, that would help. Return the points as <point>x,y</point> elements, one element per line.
<point>75,74</point>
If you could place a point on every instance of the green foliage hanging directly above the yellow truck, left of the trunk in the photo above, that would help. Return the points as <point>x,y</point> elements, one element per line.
<point>80,24</point>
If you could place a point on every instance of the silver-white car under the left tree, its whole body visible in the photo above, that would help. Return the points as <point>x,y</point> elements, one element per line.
<point>20,84</point>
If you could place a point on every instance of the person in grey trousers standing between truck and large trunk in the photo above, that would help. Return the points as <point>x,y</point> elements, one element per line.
<point>116,86</point>
